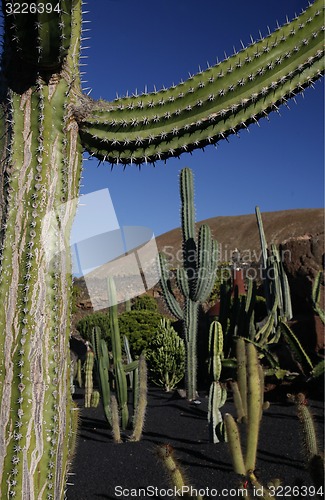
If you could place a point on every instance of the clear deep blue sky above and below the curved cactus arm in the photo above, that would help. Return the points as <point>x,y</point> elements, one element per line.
<point>134,44</point>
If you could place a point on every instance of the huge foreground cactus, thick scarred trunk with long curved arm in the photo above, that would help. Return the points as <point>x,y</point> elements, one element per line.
<point>46,122</point>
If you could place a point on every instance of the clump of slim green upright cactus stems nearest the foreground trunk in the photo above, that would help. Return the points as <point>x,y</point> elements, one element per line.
<point>119,371</point>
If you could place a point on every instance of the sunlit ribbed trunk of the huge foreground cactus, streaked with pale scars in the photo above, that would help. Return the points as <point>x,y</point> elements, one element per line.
<point>40,171</point>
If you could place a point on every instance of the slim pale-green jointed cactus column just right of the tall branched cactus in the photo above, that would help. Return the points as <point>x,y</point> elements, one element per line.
<point>217,392</point>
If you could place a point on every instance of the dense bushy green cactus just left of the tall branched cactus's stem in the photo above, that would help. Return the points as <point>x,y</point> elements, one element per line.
<point>166,357</point>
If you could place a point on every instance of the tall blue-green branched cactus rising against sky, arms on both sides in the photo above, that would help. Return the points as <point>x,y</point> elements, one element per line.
<point>195,279</point>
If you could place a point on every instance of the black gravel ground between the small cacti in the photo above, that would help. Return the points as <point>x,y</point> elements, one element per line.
<point>105,470</point>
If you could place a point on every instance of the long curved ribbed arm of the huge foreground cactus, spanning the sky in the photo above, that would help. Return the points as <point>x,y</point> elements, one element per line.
<point>212,104</point>
